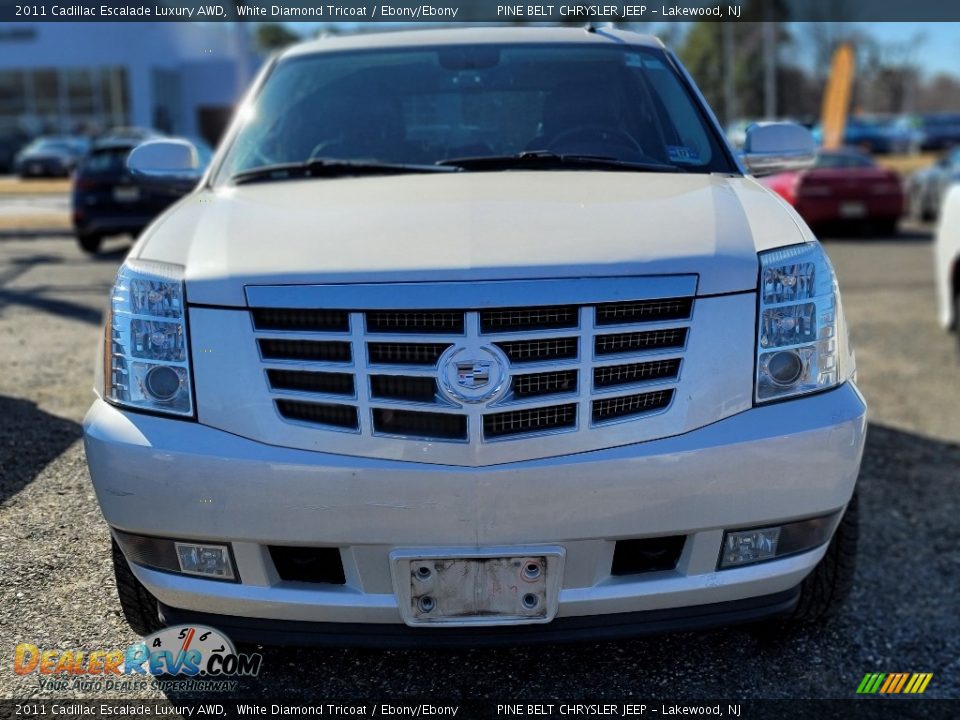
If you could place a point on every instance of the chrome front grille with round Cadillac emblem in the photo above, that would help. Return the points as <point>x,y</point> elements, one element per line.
<point>400,373</point>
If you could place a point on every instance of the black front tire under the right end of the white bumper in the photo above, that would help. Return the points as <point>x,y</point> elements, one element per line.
<point>824,591</point>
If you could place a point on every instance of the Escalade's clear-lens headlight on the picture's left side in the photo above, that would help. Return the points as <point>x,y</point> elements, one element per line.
<point>147,362</point>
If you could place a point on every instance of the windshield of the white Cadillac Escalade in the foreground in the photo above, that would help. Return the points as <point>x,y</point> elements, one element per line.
<point>425,106</point>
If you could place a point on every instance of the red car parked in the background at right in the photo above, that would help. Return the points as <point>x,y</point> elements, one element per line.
<point>843,187</point>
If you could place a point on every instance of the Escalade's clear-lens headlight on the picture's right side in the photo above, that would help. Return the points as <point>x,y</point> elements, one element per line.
<point>801,337</point>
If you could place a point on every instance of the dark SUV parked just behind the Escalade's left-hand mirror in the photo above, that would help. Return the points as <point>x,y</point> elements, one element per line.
<point>106,200</point>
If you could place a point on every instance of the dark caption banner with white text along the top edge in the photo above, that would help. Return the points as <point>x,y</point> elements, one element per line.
<point>415,11</point>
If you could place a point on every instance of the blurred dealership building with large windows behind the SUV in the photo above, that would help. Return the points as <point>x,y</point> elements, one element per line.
<point>181,78</point>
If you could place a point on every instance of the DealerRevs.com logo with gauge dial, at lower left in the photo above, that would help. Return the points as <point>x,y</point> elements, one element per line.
<point>185,652</point>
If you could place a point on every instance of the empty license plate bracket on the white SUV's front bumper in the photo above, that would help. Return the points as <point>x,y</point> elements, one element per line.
<point>491,586</point>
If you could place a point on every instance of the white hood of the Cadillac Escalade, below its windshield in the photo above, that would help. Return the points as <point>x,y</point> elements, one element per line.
<point>471,226</point>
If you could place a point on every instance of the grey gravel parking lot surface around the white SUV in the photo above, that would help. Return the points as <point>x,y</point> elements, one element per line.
<point>57,588</point>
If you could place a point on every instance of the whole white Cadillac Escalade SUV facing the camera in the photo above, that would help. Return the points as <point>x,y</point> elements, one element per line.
<point>476,335</point>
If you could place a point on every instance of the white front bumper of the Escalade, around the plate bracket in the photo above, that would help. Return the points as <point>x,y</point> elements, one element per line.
<point>772,464</point>
